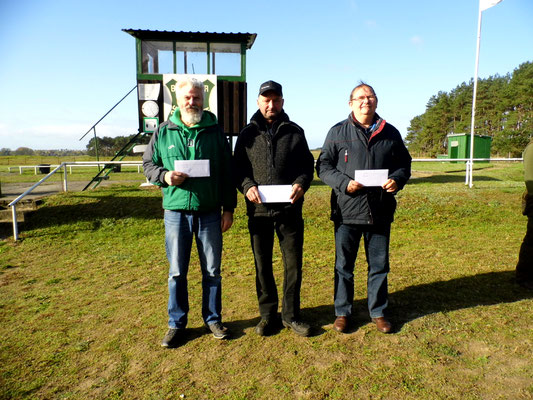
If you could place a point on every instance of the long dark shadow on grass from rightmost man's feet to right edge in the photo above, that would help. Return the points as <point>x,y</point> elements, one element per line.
<point>417,301</point>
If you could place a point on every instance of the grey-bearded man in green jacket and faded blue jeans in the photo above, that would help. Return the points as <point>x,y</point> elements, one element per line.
<point>200,205</point>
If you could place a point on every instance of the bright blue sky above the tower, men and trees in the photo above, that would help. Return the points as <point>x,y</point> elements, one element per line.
<point>66,62</point>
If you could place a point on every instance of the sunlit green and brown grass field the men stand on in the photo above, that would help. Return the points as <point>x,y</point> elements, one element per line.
<point>83,303</point>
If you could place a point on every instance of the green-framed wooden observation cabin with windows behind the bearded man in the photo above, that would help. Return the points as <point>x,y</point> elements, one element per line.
<point>217,59</point>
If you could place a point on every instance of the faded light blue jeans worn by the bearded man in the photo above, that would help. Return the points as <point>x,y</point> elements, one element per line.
<point>180,227</point>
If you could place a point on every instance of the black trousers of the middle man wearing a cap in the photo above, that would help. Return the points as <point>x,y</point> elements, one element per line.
<point>290,232</point>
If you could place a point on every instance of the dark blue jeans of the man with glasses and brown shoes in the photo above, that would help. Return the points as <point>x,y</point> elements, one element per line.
<point>376,240</point>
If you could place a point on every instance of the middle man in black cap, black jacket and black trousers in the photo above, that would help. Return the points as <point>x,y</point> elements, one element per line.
<point>272,150</point>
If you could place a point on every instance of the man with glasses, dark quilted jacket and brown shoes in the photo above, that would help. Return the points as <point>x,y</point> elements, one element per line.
<point>364,141</point>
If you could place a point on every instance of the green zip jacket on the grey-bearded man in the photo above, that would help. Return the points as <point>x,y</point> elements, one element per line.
<point>205,141</point>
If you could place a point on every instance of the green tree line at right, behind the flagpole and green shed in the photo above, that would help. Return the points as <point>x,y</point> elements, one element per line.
<point>504,111</point>
